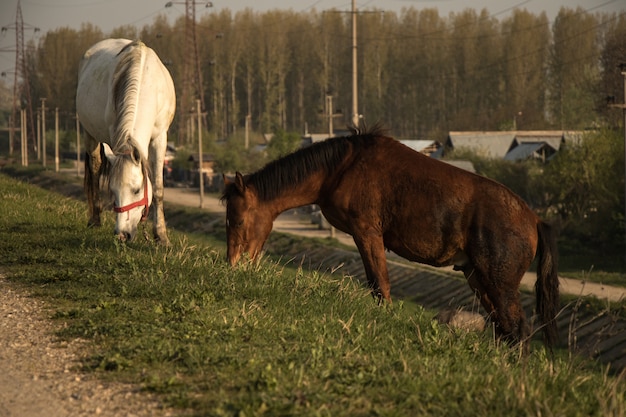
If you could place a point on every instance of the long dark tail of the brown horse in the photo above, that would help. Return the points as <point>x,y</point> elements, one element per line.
<point>547,285</point>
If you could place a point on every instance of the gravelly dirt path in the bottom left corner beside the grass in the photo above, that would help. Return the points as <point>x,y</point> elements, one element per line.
<point>38,376</point>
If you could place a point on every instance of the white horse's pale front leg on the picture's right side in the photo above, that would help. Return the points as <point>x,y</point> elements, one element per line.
<point>157,158</point>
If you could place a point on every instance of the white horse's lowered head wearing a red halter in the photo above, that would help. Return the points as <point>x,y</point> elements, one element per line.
<point>130,185</point>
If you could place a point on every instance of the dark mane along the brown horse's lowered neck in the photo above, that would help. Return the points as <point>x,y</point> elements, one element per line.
<point>289,171</point>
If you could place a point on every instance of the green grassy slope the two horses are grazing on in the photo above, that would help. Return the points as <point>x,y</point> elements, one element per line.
<point>264,339</point>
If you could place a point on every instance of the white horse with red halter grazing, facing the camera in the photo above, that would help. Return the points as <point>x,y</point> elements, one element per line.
<point>125,102</point>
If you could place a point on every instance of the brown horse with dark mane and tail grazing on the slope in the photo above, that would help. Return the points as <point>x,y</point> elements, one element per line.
<point>388,196</point>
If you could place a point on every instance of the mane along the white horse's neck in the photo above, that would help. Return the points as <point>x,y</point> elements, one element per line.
<point>126,85</point>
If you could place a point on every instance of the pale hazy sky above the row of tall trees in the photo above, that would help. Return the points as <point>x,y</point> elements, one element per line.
<point>108,14</point>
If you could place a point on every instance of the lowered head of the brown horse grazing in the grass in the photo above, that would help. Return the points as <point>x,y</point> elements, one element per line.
<point>248,223</point>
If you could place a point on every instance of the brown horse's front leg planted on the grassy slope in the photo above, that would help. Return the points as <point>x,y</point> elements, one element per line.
<point>372,250</point>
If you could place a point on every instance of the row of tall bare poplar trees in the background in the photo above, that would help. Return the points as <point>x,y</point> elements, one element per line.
<point>420,74</point>
